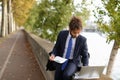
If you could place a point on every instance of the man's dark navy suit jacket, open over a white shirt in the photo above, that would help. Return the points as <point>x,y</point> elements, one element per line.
<point>80,51</point>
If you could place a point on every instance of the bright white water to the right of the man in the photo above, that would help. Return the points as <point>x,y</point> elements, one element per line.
<point>100,51</point>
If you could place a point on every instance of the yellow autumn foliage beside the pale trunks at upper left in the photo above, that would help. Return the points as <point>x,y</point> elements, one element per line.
<point>21,10</point>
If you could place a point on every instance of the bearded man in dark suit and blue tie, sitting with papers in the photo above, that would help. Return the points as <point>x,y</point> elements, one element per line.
<point>71,45</point>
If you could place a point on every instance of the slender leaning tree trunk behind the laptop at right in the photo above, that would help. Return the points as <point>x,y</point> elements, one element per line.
<point>112,58</point>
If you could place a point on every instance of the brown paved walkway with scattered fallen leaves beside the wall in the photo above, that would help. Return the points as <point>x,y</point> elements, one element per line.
<point>17,61</point>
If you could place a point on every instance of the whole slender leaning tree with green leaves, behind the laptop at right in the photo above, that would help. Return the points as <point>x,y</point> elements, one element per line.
<point>110,27</point>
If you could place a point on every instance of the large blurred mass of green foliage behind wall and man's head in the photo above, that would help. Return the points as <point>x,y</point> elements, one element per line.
<point>50,16</point>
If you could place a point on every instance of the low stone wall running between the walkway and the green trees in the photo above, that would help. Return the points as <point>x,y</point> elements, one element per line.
<point>41,48</point>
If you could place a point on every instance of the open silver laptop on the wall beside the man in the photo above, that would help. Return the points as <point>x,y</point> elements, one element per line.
<point>89,72</point>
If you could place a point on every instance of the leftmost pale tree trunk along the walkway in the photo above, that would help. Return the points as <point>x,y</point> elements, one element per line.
<point>4,18</point>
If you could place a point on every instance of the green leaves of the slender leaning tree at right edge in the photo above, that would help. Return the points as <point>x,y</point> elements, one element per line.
<point>112,27</point>
